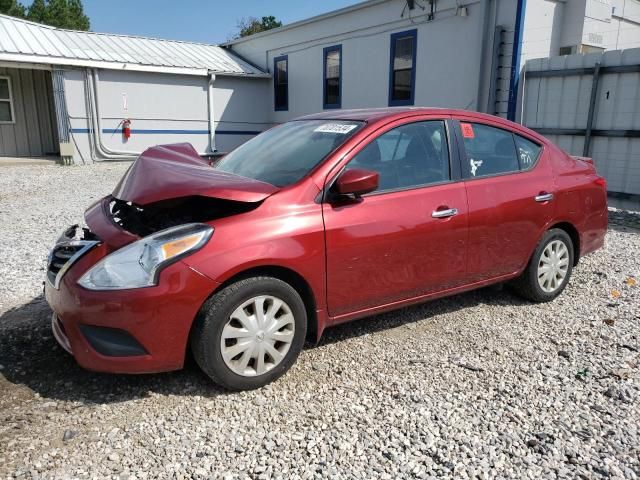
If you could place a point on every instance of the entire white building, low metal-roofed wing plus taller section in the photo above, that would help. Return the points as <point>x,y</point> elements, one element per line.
<point>71,91</point>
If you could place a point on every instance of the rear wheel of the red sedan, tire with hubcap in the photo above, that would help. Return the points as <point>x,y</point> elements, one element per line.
<point>528,285</point>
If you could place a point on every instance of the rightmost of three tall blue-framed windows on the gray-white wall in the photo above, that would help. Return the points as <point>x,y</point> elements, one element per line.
<point>402,70</point>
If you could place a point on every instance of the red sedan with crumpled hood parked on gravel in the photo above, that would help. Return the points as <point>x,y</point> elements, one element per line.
<point>315,222</point>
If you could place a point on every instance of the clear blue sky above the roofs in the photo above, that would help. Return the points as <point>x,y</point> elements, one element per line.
<point>206,21</point>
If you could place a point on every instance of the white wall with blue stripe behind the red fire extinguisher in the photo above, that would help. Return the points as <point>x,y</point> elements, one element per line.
<point>167,108</point>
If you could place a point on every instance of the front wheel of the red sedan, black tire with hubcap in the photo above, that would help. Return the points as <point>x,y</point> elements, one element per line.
<point>234,312</point>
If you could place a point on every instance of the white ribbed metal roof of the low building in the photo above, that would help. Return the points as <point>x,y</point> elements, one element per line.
<point>24,41</point>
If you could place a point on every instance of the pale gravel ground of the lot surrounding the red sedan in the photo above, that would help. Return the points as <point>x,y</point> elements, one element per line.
<point>482,385</point>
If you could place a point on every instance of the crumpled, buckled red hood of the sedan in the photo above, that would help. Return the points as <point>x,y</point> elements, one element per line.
<point>174,171</point>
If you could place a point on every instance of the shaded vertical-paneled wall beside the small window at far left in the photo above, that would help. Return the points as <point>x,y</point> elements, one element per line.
<point>33,132</point>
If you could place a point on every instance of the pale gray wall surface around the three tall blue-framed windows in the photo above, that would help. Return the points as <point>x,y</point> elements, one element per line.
<point>450,59</point>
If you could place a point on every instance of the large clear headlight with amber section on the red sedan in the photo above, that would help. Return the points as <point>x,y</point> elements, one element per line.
<point>138,264</point>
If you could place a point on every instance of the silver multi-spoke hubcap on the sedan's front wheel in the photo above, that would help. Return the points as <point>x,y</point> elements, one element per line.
<point>257,335</point>
